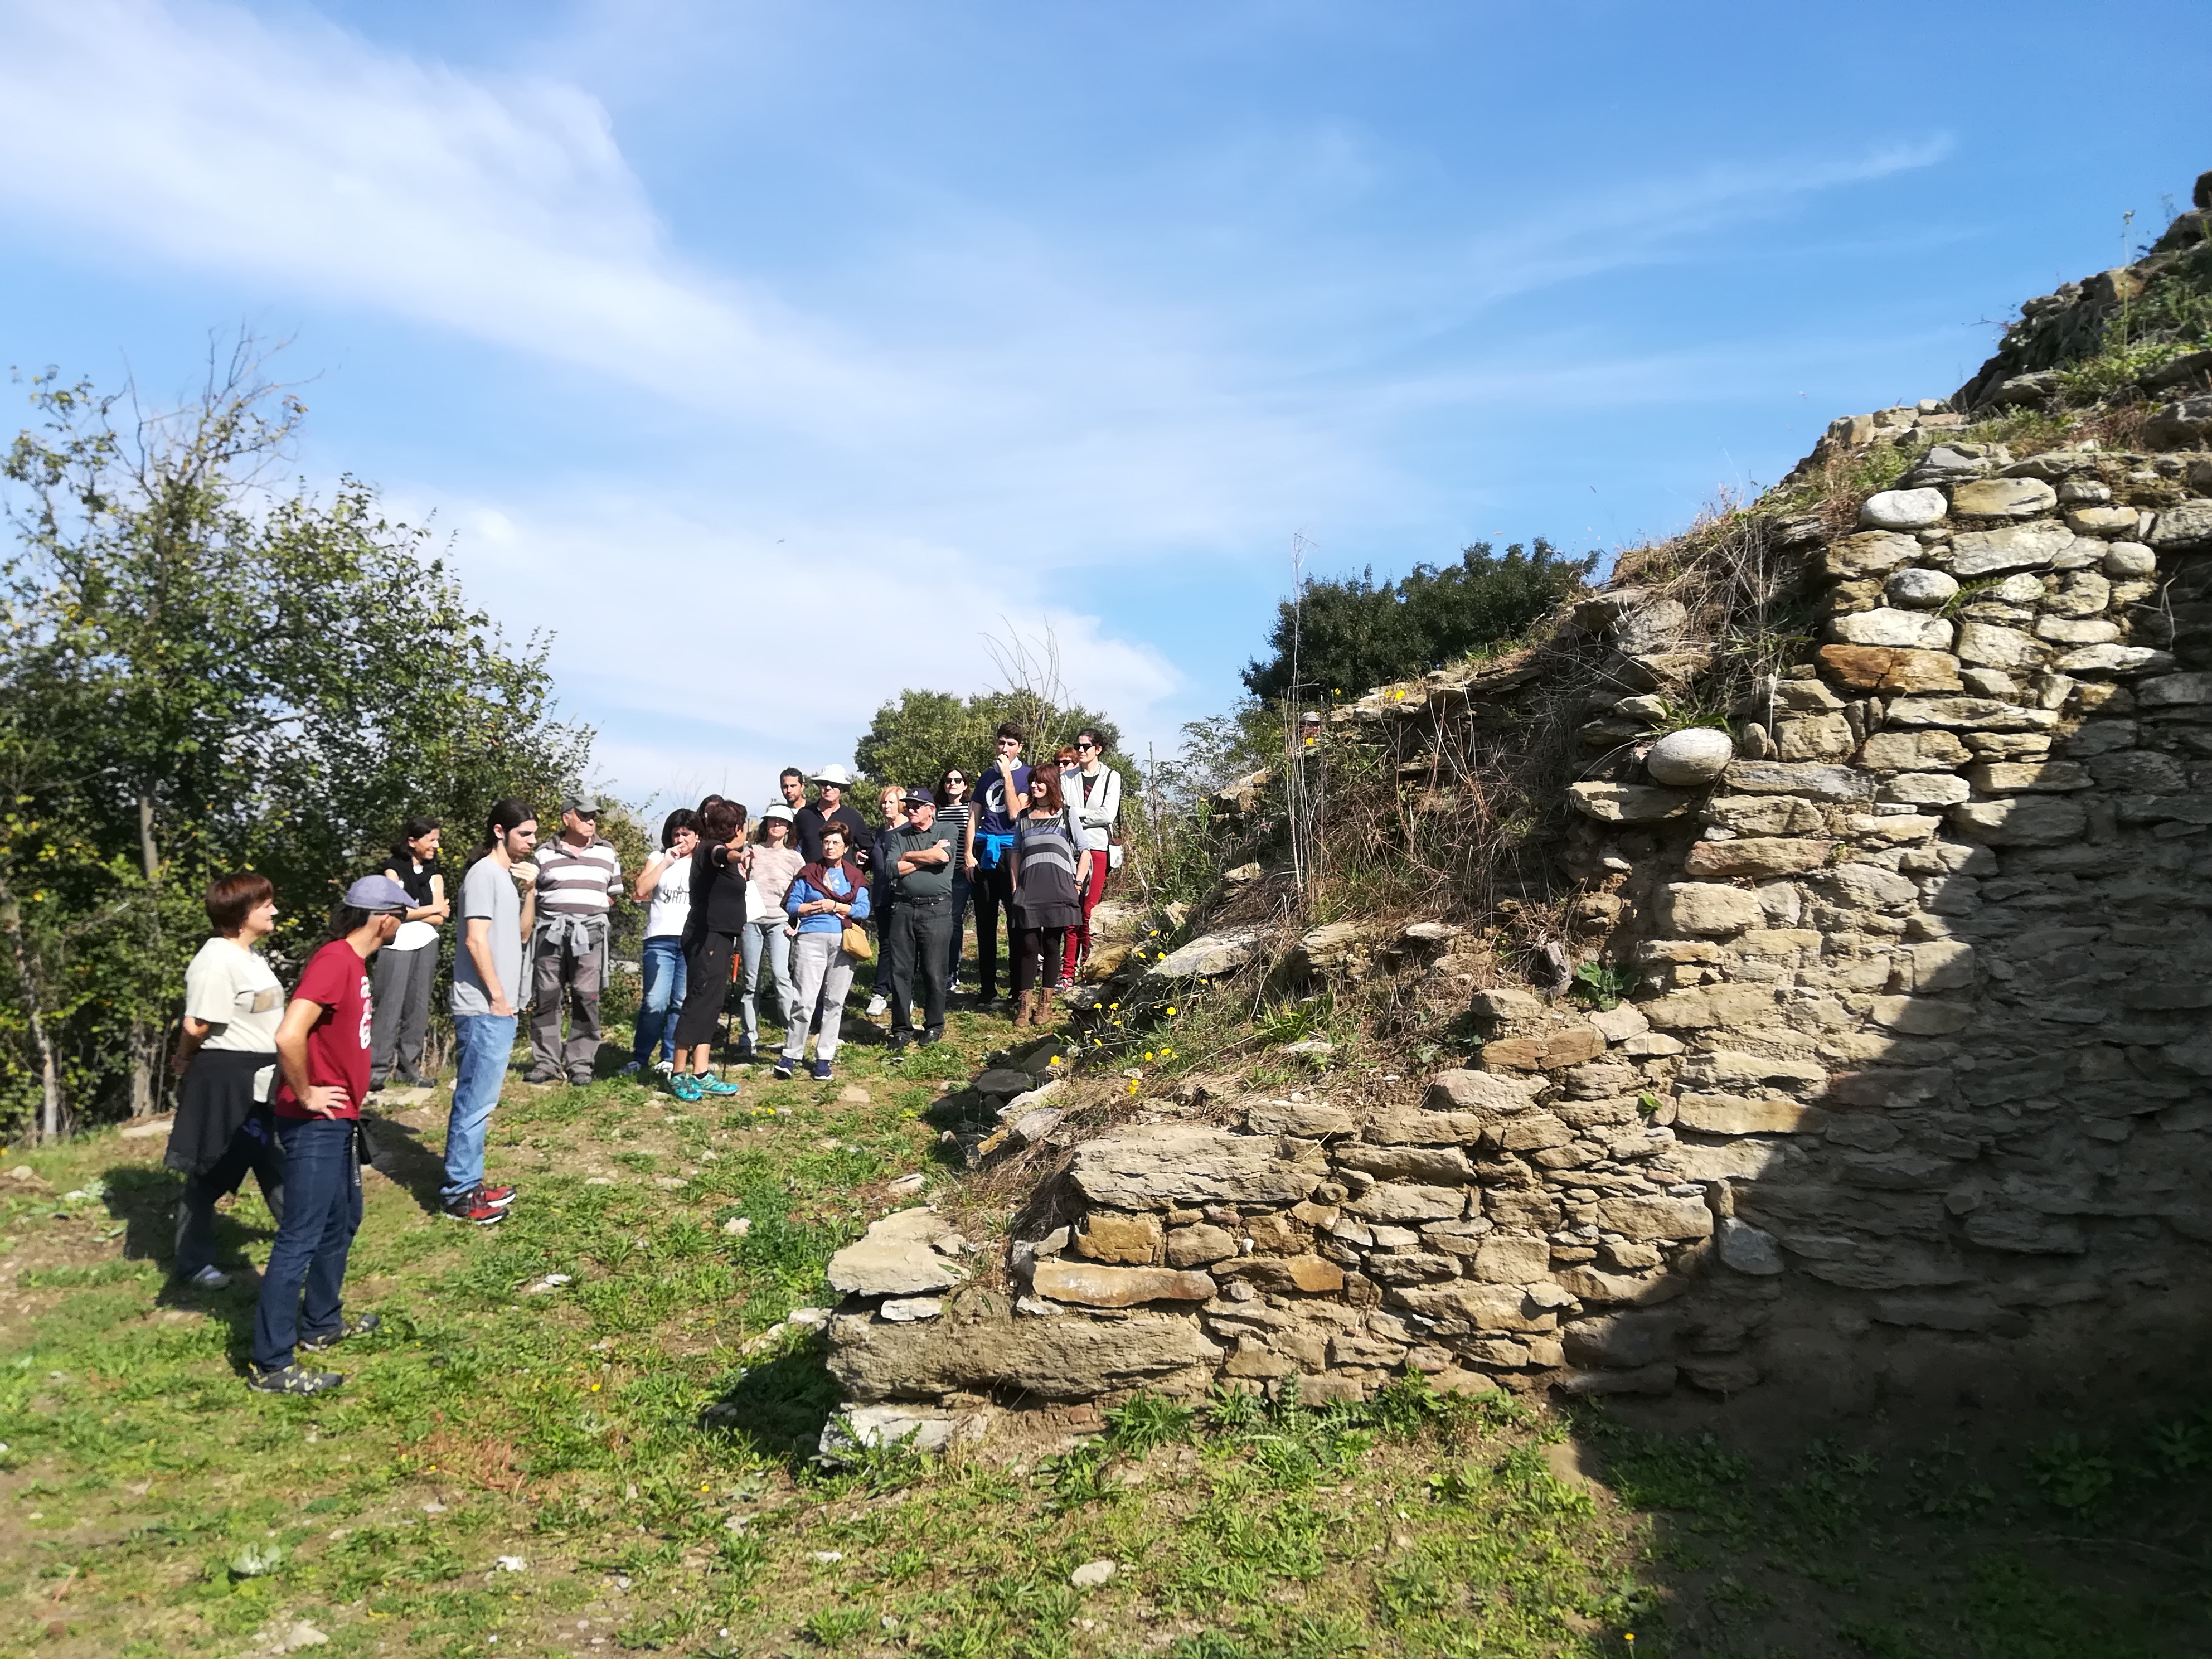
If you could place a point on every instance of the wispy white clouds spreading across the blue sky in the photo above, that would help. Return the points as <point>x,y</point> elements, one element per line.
<point>1041,399</point>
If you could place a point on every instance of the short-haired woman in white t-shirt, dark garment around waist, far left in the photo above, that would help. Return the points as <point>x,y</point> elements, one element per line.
<point>229,1058</point>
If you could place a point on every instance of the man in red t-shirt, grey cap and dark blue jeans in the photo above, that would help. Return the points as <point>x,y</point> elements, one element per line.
<point>324,1054</point>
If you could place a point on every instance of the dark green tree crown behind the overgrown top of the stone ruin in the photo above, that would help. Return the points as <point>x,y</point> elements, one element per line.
<point>1357,634</point>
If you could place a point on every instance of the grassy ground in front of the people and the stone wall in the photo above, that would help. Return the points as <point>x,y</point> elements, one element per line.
<point>620,1461</point>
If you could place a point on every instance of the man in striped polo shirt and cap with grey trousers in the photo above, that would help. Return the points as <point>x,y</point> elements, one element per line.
<point>578,877</point>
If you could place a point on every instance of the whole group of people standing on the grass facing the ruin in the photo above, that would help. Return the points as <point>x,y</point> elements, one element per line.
<point>273,1087</point>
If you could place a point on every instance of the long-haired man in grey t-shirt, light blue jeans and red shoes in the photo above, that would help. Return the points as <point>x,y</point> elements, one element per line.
<point>488,979</point>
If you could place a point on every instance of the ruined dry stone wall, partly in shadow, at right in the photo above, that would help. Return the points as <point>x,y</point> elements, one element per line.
<point>1910,1098</point>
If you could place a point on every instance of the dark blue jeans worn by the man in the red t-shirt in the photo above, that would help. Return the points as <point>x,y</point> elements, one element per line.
<point>322,1211</point>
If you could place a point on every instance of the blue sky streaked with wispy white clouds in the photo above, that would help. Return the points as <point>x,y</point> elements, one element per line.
<point>775,355</point>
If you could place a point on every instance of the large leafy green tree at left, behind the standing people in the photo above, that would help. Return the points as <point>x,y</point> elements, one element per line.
<point>213,674</point>
